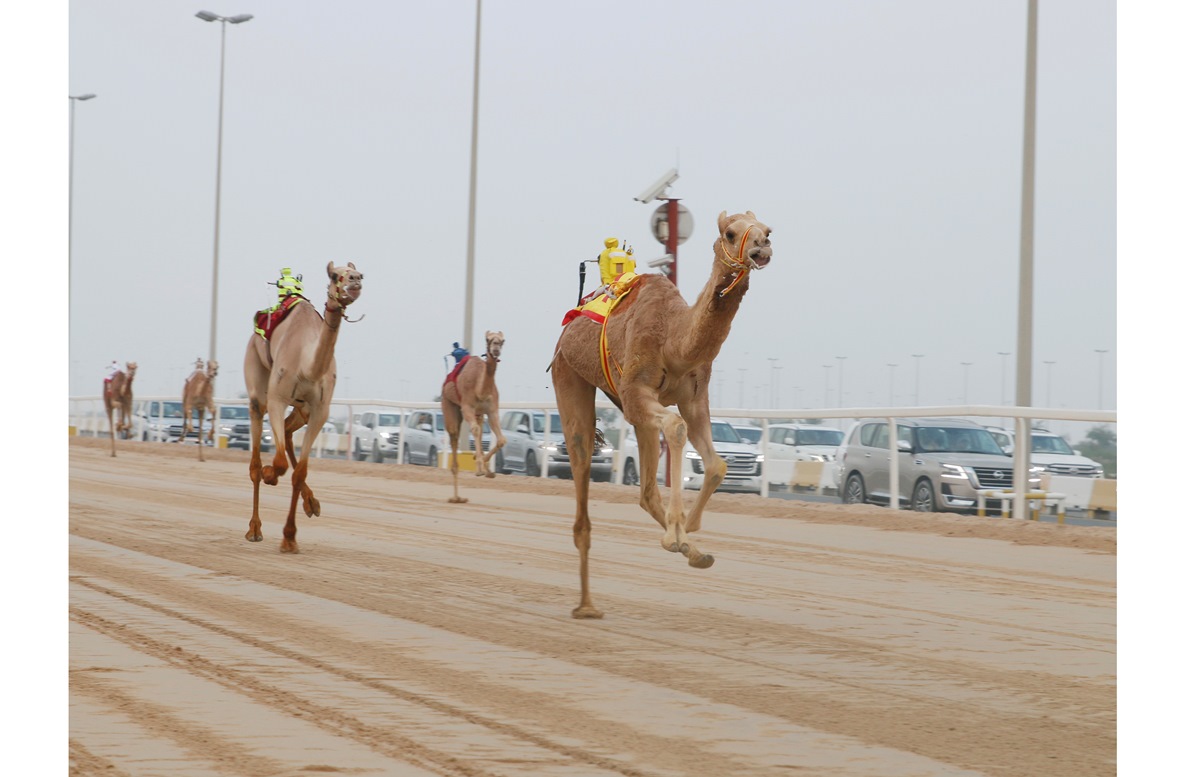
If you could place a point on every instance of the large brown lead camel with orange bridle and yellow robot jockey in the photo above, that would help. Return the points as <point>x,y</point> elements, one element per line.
<point>661,353</point>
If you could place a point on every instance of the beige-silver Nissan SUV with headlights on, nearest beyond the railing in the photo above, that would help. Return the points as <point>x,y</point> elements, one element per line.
<point>944,465</point>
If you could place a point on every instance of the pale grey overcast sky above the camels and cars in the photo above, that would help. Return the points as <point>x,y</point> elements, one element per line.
<point>880,141</point>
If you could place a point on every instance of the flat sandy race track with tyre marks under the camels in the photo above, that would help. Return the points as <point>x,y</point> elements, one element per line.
<point>416,637</point>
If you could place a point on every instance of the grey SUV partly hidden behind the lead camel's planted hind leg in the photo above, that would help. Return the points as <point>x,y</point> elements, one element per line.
<point>526,445</point>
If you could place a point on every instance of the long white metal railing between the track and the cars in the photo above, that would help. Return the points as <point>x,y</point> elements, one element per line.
<point>1021,417</point>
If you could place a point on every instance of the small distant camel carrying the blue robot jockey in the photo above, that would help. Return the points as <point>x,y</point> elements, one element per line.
<point>472,395</point>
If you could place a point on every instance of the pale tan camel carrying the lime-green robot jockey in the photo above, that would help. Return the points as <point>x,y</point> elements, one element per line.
<point>296,370</point>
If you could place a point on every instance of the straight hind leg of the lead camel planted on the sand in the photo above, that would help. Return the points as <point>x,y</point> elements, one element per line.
<point>577,407</point>
